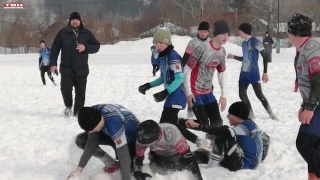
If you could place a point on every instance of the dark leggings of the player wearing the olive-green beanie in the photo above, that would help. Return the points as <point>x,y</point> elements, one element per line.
<point>170,115</point>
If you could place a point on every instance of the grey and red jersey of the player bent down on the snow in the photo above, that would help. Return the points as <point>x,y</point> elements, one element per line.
<point>171,143</point>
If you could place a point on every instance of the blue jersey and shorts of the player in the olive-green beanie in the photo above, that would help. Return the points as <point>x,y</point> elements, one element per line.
<point>169,65</point>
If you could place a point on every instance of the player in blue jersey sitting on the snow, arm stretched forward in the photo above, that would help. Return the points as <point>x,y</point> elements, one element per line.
<point>242,146</point>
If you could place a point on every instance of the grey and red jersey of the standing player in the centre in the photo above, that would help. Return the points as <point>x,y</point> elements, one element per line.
<point>205,59</point>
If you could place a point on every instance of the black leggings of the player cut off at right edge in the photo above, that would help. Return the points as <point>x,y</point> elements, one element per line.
<point>308,146</point>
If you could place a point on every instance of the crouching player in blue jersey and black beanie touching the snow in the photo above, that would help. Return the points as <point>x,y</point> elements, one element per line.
<point>112,125</point>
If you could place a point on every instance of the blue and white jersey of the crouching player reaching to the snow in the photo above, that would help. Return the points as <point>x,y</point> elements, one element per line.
<point>120,123</point>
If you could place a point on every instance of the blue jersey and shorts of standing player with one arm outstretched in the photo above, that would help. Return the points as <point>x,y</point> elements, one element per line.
<point>250,69</point>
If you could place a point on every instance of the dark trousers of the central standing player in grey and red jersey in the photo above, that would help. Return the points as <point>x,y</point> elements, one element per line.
<point>208,114</point>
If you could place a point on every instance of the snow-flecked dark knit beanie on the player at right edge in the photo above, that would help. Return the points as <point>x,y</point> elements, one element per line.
<point>300,25</point>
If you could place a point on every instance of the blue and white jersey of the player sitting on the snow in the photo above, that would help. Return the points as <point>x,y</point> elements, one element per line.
<point>249,139</point>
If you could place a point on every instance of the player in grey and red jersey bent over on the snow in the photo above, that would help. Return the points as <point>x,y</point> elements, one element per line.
<point>169,150</point>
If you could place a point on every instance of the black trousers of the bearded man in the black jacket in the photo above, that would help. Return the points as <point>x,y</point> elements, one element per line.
<point>79,83</point>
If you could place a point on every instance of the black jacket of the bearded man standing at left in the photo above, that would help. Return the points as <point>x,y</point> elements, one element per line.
<point>73,62</point>
